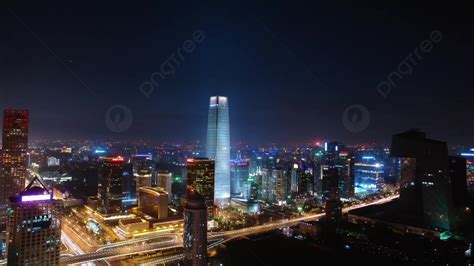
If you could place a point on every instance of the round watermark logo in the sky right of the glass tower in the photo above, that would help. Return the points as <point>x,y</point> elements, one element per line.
<point>356,118</point>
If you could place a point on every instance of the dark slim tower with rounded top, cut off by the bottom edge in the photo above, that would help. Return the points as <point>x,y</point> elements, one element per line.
<point>195,230</point>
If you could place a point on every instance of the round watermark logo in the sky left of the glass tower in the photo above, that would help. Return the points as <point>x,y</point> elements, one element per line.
<point>118,118</point>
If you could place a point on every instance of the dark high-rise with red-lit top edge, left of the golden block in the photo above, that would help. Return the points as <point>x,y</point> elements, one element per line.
<point>109,189</point>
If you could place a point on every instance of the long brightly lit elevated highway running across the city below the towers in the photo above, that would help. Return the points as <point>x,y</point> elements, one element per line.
<point>118,250</point>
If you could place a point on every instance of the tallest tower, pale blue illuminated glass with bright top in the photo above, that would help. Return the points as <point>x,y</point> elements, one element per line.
<point>218,147</point>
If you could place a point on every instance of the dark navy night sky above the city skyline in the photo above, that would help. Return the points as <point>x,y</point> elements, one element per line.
<point>289,70</point>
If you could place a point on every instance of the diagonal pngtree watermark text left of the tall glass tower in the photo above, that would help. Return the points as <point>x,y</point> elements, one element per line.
<point>172,62</point>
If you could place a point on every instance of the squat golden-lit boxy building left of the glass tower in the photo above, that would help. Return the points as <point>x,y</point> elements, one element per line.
<point>153,202</point>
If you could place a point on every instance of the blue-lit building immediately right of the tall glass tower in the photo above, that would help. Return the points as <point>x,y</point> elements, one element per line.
<point>239,174</point>
